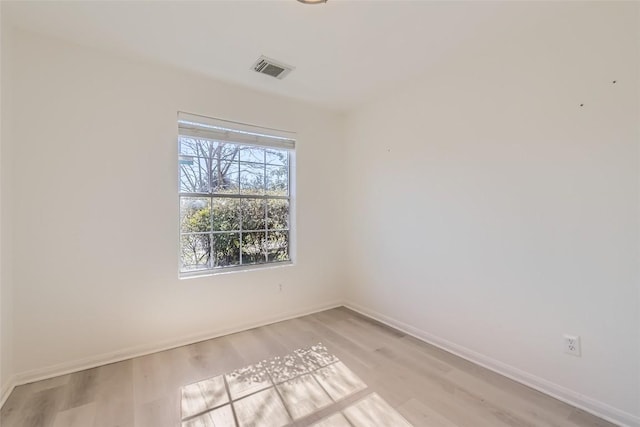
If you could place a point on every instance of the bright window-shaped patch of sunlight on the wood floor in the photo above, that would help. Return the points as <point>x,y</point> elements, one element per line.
<point>283,390</point>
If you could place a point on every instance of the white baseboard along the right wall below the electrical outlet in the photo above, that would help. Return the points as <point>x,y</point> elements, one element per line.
<point>571,397</point>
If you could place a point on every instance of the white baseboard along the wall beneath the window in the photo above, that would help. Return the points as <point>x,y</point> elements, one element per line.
<point>129,353</point>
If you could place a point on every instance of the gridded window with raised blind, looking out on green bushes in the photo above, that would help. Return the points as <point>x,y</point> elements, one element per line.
<point>235,195</point>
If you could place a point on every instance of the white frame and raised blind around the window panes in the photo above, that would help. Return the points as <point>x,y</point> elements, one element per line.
<point>197,126</point>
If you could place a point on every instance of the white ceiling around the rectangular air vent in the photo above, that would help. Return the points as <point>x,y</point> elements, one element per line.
<point>345,51</point>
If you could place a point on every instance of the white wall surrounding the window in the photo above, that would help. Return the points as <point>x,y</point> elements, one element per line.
<point>94,198</point>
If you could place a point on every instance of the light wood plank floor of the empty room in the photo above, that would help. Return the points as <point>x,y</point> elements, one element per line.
<point>425,385</point>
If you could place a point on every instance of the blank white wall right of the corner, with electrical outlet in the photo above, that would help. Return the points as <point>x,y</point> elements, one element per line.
<point>491,213</point>
